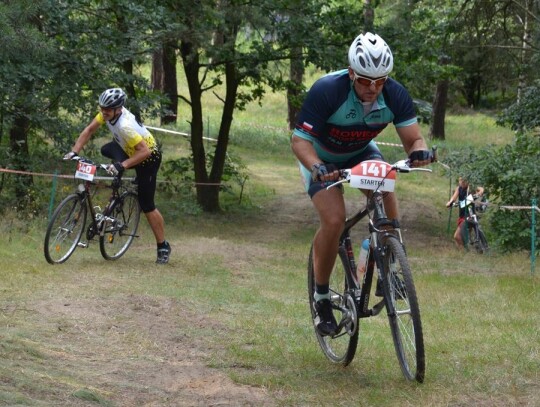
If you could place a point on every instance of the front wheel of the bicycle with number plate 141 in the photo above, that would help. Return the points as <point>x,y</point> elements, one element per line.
<point>403,311</point>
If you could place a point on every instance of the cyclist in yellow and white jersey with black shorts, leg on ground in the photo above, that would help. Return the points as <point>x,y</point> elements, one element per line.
<point>133,146</point>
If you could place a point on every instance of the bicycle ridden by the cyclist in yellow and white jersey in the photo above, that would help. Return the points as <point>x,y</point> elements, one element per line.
<point>116,225</point>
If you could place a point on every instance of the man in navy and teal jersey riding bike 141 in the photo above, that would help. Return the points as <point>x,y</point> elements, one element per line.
<point>341,115</point>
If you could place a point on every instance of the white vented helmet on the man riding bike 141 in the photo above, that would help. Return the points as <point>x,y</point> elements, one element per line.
<point>370,56</point>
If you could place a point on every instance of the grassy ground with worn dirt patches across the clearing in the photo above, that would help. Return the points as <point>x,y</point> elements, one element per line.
<point>233,299</point>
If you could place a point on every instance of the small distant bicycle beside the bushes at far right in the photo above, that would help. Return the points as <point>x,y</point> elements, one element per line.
<point>472,233</point>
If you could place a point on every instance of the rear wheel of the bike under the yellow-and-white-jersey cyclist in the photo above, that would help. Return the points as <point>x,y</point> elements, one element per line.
<point>116,236</point>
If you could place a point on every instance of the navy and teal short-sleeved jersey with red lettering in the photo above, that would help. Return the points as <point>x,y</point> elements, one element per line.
<point>335,121</point>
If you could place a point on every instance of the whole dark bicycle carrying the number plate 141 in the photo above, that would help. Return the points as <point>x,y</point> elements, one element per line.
<point>387,259</point>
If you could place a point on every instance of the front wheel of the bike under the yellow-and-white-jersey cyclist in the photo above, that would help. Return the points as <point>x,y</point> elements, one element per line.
<point>65,229</point>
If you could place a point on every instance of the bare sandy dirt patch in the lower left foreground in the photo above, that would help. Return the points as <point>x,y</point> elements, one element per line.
<point>166,370</point>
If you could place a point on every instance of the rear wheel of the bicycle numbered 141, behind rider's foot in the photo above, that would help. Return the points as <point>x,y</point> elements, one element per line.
<point>339,348</point>
